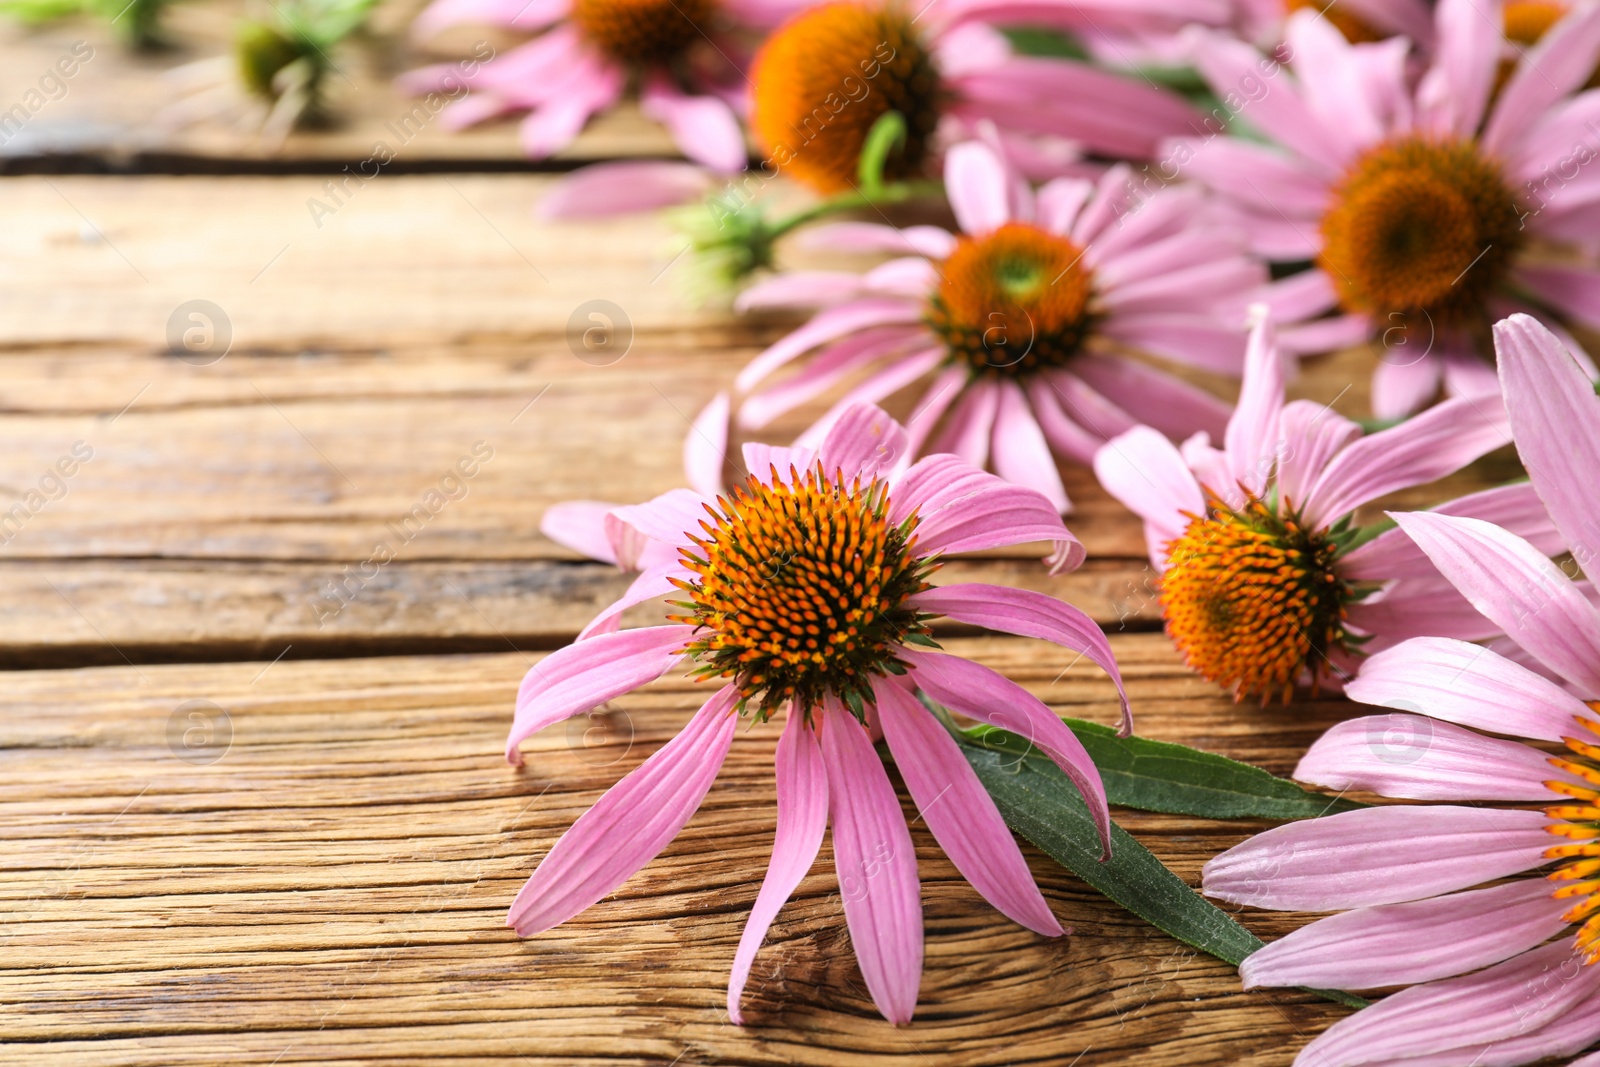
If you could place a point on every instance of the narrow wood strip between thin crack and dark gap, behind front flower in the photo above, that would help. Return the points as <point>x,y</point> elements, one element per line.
<point>116,612</point>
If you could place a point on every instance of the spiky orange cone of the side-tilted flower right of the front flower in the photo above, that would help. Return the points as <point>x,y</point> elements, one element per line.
<point>1254,599</point>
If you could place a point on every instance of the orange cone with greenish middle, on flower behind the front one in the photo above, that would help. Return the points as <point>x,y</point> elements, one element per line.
<point>1014,302</point>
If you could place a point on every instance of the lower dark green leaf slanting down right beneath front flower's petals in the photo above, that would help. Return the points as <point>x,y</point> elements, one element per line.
<point>1038,801</point>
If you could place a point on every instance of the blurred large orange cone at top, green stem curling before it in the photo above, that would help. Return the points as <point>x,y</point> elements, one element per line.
<point>823,79</point>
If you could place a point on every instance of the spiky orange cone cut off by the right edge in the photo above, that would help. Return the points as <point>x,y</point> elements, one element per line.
<point>1577,876</point>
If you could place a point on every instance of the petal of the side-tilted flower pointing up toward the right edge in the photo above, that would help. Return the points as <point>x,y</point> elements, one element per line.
<point>1422,450</point>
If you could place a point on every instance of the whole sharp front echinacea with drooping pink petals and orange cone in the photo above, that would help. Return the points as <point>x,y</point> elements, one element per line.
<point>804,594</point>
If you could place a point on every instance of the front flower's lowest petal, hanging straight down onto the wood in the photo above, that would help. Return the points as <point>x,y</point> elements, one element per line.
<point>878,866</point>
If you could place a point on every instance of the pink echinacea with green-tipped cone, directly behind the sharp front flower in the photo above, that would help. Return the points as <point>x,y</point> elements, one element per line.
<point>1018,326</point>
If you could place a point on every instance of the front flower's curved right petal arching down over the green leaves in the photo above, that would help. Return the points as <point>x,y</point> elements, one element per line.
<point>980,693</point>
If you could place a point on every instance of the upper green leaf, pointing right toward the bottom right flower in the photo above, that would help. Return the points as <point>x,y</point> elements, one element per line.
<point>1177,780</point>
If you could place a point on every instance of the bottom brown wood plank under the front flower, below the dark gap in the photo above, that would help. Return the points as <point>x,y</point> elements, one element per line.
<point>332,887</point>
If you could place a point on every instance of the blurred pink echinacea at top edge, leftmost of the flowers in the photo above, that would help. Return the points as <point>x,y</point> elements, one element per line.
<point>684,57</point>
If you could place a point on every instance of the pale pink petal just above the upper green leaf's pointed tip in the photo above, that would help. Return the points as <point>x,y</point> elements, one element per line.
<point>1412,757</point>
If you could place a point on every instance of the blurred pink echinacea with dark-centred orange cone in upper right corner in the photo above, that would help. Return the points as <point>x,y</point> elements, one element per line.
<point>1430,212</point>
